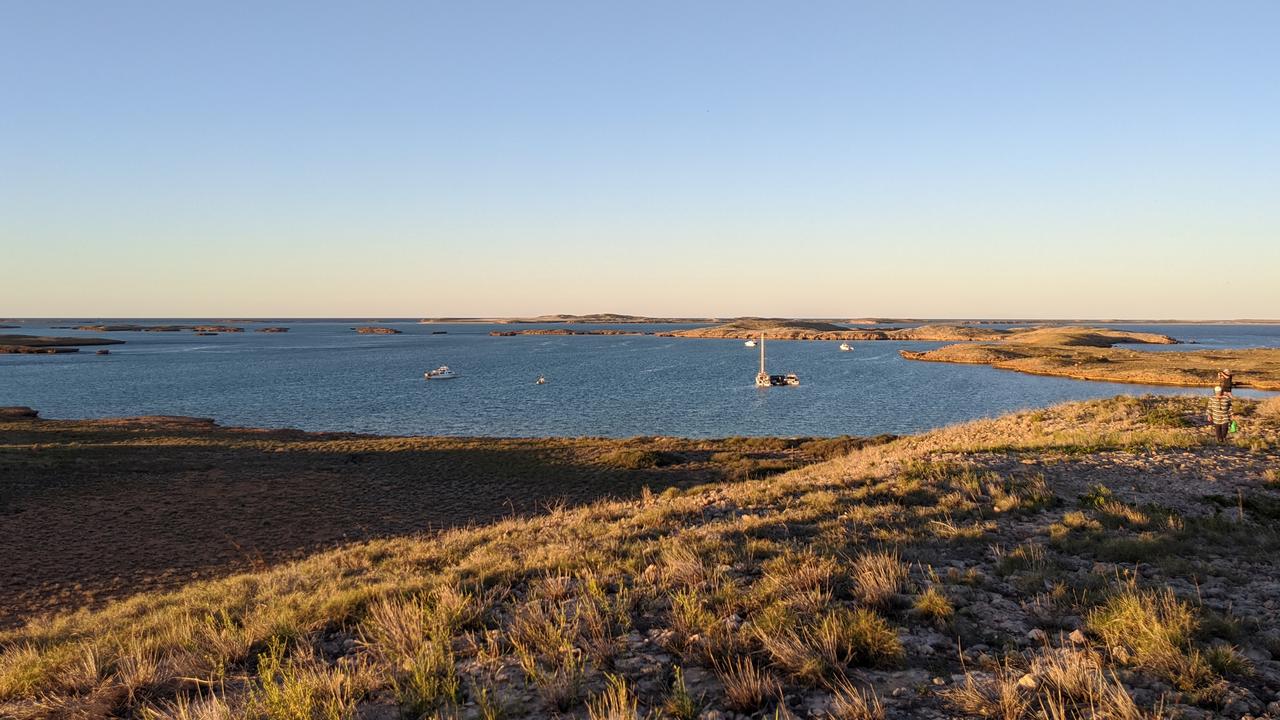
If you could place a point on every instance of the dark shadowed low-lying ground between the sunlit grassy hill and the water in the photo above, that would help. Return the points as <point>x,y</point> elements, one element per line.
<point>171,500</point>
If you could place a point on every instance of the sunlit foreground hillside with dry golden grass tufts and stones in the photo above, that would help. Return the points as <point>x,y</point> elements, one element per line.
<point>1096,559</point>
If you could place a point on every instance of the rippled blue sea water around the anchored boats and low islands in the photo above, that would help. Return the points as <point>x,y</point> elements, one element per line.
<point>323,376</point>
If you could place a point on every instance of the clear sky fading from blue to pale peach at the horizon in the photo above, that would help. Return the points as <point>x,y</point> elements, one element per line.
<point>820,160</point>
